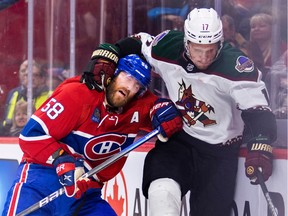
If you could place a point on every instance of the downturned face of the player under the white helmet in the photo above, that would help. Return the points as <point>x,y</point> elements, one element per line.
<point>202,55</point>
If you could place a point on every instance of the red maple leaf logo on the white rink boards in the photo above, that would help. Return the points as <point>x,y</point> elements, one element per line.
<point>115,193</point>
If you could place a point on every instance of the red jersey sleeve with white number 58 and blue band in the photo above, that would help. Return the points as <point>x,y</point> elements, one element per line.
<point>62,113</point>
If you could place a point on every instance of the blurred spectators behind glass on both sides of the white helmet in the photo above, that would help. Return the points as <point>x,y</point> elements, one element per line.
<point>253,26</point>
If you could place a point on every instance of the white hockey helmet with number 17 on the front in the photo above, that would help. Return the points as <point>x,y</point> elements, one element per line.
<point>203,26</point>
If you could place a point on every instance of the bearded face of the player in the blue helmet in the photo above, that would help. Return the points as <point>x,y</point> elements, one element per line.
<point>122,90</point>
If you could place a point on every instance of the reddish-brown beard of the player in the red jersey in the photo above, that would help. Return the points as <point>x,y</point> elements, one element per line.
<point>117,97</point>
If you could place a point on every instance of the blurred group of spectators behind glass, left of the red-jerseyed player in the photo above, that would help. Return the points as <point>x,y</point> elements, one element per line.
<point>44,80</point>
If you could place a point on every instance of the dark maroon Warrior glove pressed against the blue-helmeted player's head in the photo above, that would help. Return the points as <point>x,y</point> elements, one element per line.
<point>101,67</point>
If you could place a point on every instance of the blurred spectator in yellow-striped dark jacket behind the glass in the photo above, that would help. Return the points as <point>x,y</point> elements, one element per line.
<point>40,92</point>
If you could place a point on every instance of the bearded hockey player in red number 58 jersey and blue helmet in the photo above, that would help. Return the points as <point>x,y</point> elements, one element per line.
<point>77,129</point>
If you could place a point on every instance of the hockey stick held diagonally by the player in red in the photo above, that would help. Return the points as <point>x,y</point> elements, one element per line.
<point>91,172</point>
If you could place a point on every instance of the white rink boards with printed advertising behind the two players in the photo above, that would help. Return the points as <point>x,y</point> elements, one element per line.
<point>125,195</point>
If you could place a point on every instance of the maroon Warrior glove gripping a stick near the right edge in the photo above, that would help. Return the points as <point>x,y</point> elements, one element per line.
<point>259,157</point>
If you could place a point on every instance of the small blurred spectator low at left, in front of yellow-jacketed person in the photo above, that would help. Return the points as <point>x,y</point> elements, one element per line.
<point>19,118</point>
